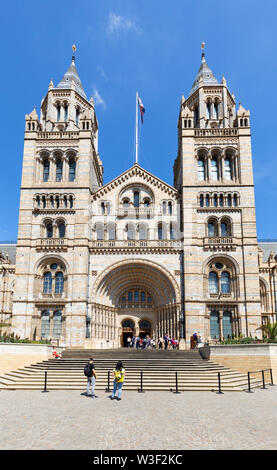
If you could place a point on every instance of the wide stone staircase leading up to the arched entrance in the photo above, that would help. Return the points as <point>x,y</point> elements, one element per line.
<point>158,367</point>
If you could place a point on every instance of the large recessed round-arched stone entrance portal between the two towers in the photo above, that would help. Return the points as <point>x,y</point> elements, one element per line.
<point>138,291</point>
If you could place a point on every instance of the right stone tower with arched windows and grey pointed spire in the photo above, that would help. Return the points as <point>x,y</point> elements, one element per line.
<point>214,174</point>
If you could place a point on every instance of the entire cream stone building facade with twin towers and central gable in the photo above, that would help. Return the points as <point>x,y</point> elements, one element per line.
<point>97,263</point>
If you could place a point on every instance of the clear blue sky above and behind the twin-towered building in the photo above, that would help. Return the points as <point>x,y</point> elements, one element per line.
<point>152,46</point>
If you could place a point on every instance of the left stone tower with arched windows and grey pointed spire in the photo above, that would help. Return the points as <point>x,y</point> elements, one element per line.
<point>61,170</point>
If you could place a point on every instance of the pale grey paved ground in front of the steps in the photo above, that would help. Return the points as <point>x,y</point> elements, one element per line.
<point>153,421</point>
